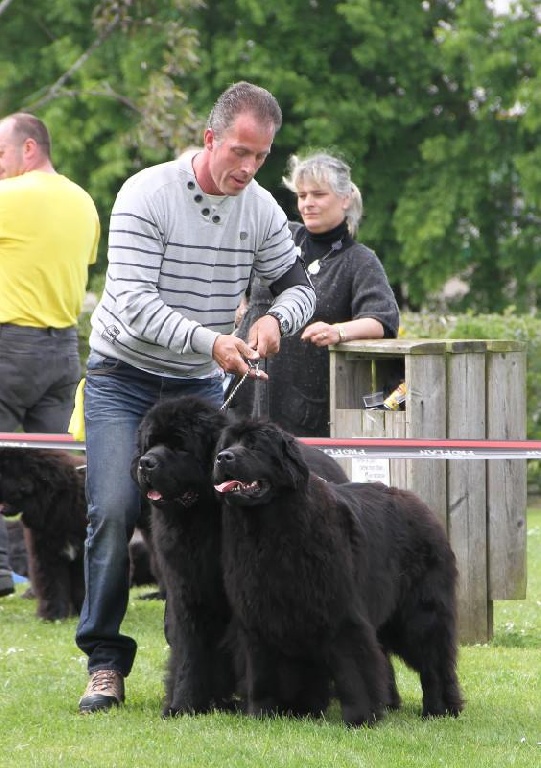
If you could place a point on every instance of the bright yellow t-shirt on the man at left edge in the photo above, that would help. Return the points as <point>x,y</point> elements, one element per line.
<point>49,232</point>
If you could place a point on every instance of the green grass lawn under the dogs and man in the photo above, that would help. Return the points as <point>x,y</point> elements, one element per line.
<point>42,675</point>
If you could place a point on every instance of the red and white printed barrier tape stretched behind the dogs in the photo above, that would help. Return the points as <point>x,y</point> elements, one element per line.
<point>384,447</point>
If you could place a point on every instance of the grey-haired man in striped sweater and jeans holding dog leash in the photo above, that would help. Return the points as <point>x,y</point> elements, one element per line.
<point>184,237</point>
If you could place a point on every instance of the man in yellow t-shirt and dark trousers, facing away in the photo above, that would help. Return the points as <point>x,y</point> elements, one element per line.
<point>49,231</point>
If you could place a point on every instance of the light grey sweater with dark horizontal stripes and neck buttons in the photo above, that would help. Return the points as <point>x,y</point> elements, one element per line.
<point>179,262</point>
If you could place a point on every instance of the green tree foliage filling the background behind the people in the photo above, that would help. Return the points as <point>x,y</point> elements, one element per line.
<point>436,104</point>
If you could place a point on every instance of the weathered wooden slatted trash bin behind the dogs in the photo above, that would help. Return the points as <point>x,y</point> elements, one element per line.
<point>455,389</point>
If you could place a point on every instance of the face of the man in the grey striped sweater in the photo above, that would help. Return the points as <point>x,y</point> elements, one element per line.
<point>236,157</point>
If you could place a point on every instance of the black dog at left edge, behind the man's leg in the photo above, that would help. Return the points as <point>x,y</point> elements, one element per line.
<point>48,489</point>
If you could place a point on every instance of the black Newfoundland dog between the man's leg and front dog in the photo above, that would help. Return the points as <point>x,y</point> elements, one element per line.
<point>173,468</point>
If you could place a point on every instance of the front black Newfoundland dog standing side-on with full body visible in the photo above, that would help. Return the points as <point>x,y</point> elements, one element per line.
<point>327,581</point>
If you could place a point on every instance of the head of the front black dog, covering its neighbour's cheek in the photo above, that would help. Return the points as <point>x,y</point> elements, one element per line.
<point>257,461</point>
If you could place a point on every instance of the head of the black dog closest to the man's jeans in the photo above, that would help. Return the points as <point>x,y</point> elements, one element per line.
<point>176,442</point>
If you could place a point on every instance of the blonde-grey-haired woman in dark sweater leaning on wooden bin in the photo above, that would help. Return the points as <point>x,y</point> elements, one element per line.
<point>354,299</point>
